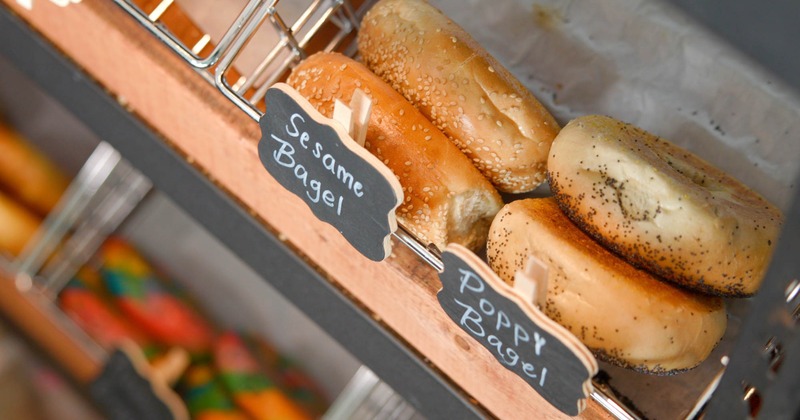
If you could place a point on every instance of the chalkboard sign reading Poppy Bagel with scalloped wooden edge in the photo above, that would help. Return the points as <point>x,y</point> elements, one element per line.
<point>522,339</point>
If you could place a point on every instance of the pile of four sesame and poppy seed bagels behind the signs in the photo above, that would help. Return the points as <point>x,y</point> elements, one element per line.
<point>641,237</point>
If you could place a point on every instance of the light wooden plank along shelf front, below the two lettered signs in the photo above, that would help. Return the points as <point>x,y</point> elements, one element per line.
<point>220,140</point>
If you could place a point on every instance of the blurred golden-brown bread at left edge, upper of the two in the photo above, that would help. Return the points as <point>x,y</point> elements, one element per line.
<point>27,175</point>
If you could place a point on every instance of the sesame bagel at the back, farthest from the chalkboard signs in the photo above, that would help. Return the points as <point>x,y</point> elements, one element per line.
<point>468,95</point>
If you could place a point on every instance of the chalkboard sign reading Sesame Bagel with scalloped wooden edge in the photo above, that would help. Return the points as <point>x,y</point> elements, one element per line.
<point>315,158</point>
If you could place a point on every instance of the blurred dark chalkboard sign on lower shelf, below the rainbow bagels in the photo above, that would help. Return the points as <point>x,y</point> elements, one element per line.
<point>124,390</point>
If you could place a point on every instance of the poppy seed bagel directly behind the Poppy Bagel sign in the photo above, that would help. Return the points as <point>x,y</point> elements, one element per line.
<point>624,315</point>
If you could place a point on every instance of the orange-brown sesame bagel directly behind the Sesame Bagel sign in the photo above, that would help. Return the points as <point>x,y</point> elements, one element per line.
<point>446,198</point>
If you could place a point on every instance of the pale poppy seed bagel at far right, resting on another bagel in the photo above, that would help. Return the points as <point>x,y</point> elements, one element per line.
<point>661,207</point>
